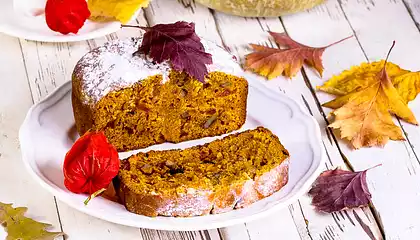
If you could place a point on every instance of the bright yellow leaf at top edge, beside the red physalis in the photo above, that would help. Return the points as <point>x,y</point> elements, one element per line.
<point>120,10</point>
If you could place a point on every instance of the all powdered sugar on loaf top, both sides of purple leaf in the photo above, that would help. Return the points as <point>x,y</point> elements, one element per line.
<point>113,66</point>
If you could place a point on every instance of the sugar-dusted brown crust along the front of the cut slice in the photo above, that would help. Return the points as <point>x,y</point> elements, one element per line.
<point>196,202</point>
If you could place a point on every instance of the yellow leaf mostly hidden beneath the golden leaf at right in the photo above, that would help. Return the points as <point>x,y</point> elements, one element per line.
<point>407,83</point>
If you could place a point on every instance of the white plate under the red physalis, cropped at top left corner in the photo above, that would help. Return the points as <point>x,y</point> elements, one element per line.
<point>18,18</point>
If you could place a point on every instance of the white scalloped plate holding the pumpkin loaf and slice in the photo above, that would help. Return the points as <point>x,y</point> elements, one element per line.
<point>46,135</point>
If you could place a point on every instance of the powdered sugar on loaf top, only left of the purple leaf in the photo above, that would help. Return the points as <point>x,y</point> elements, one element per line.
<point>113,66</point>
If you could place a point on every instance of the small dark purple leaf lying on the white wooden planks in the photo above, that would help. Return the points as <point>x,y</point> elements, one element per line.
<point>337,189</point>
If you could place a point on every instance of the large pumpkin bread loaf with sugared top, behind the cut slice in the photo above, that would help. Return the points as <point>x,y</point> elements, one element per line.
<point>138,103</point>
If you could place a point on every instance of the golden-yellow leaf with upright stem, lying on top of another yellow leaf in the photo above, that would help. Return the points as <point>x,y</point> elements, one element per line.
<point>363,115</point>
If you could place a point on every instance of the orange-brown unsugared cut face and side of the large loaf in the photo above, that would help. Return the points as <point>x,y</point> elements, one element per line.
<point>151,112</point>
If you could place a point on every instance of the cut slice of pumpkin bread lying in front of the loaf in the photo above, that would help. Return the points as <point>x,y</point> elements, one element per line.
<point>217,177</point>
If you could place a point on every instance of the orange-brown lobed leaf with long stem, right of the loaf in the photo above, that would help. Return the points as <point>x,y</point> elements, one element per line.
<point>272,62</point>
